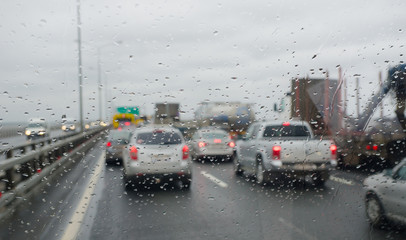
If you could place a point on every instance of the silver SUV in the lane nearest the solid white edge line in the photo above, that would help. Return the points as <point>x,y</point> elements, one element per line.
<point>157,154</point>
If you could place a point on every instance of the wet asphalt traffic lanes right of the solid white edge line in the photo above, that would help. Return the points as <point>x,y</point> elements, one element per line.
<point>230,207</point>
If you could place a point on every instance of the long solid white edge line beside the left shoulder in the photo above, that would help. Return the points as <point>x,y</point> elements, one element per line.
<point>76,221</point>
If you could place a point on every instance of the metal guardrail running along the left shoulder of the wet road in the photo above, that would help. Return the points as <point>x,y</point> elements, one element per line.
<point>25,171</point>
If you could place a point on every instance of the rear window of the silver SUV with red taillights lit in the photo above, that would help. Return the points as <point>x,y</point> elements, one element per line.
<point>158,138</point>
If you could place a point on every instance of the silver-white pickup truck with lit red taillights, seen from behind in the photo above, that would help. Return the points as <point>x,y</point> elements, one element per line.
<point>275,150</point>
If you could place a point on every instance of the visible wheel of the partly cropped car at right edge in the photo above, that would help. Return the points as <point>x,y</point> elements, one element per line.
<point>374,211</point>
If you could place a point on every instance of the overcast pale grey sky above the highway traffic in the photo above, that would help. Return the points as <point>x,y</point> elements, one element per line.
<point>187,51</point>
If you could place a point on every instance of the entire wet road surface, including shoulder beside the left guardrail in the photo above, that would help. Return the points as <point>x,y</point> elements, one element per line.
<point>219,205</point>
